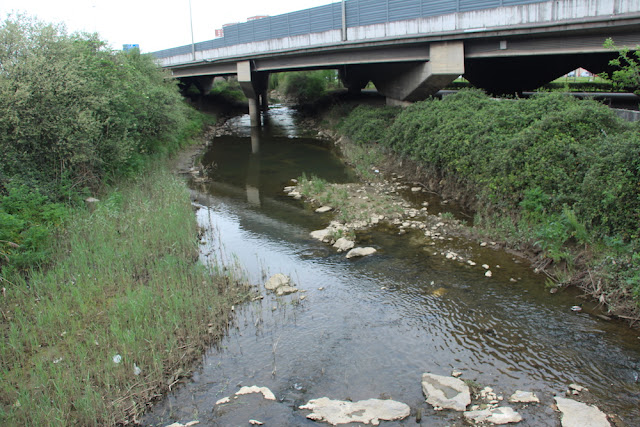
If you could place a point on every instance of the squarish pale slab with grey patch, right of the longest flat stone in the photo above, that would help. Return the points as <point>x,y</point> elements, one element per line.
<point>445,392</point>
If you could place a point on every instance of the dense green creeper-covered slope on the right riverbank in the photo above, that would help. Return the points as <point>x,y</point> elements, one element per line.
<point>551,173</point>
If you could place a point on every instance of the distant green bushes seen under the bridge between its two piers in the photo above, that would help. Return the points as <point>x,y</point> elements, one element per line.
<point>305,86</point>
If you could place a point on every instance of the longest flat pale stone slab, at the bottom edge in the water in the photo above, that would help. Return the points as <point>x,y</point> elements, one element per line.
<point>370,411</point>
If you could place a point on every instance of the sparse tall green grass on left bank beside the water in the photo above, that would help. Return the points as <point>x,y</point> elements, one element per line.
<point>124,285</point>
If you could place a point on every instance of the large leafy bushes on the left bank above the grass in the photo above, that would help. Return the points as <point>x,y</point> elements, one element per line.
<point>73,114</point>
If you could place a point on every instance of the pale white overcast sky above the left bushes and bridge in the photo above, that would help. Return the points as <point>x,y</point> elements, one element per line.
<point>154,25</point>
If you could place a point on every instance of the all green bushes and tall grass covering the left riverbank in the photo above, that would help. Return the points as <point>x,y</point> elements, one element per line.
<point>102,309</point>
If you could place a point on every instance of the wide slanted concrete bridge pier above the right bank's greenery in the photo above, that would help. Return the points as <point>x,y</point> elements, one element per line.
<point>409,82</point>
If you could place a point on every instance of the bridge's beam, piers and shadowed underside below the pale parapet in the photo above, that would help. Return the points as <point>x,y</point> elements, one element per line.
<point>414,69</point>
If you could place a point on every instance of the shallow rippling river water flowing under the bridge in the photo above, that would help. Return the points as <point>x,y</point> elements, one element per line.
<point>369,327</point>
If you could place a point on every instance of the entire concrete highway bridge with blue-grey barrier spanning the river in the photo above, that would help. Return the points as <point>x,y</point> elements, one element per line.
<point>412,48</point>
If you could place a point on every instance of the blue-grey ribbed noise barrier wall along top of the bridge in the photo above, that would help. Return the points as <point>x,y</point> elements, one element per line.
<point>329,17</point>
